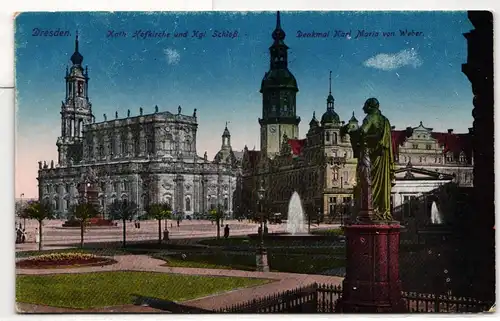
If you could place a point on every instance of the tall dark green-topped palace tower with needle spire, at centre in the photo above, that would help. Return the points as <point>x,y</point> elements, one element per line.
<point>279,90</point>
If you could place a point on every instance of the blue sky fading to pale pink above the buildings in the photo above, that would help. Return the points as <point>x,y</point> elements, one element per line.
<point>415,78</point>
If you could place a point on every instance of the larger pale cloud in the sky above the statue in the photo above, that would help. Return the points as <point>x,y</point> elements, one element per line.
<point>387,62</point>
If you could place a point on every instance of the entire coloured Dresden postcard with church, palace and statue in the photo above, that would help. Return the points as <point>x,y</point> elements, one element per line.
<point>254,162</point>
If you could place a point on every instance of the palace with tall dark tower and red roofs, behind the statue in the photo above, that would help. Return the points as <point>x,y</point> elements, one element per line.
<point>321,167</point>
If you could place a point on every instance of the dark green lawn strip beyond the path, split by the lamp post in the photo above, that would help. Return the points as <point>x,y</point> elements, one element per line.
<point>278,261</point>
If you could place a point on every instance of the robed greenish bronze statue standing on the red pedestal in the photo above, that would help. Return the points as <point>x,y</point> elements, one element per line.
<point>372,146</point>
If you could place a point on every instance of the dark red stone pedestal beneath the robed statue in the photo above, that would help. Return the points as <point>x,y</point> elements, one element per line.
<point>372,281</point>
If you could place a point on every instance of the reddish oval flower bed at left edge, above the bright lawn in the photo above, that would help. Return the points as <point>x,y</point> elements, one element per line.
<point>63,260</point>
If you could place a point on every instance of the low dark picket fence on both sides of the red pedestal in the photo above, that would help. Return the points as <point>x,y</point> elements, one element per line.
<point>323,298</point>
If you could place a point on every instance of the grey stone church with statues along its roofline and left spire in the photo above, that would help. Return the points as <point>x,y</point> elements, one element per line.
<point>147,158</point>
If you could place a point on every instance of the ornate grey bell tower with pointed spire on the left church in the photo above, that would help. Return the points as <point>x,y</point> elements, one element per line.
<point>76,111</point>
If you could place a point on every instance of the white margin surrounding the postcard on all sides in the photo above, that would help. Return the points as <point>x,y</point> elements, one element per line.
<point>7,10</point>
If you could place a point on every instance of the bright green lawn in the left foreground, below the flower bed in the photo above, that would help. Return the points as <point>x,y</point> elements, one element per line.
<point>93,290</point>
